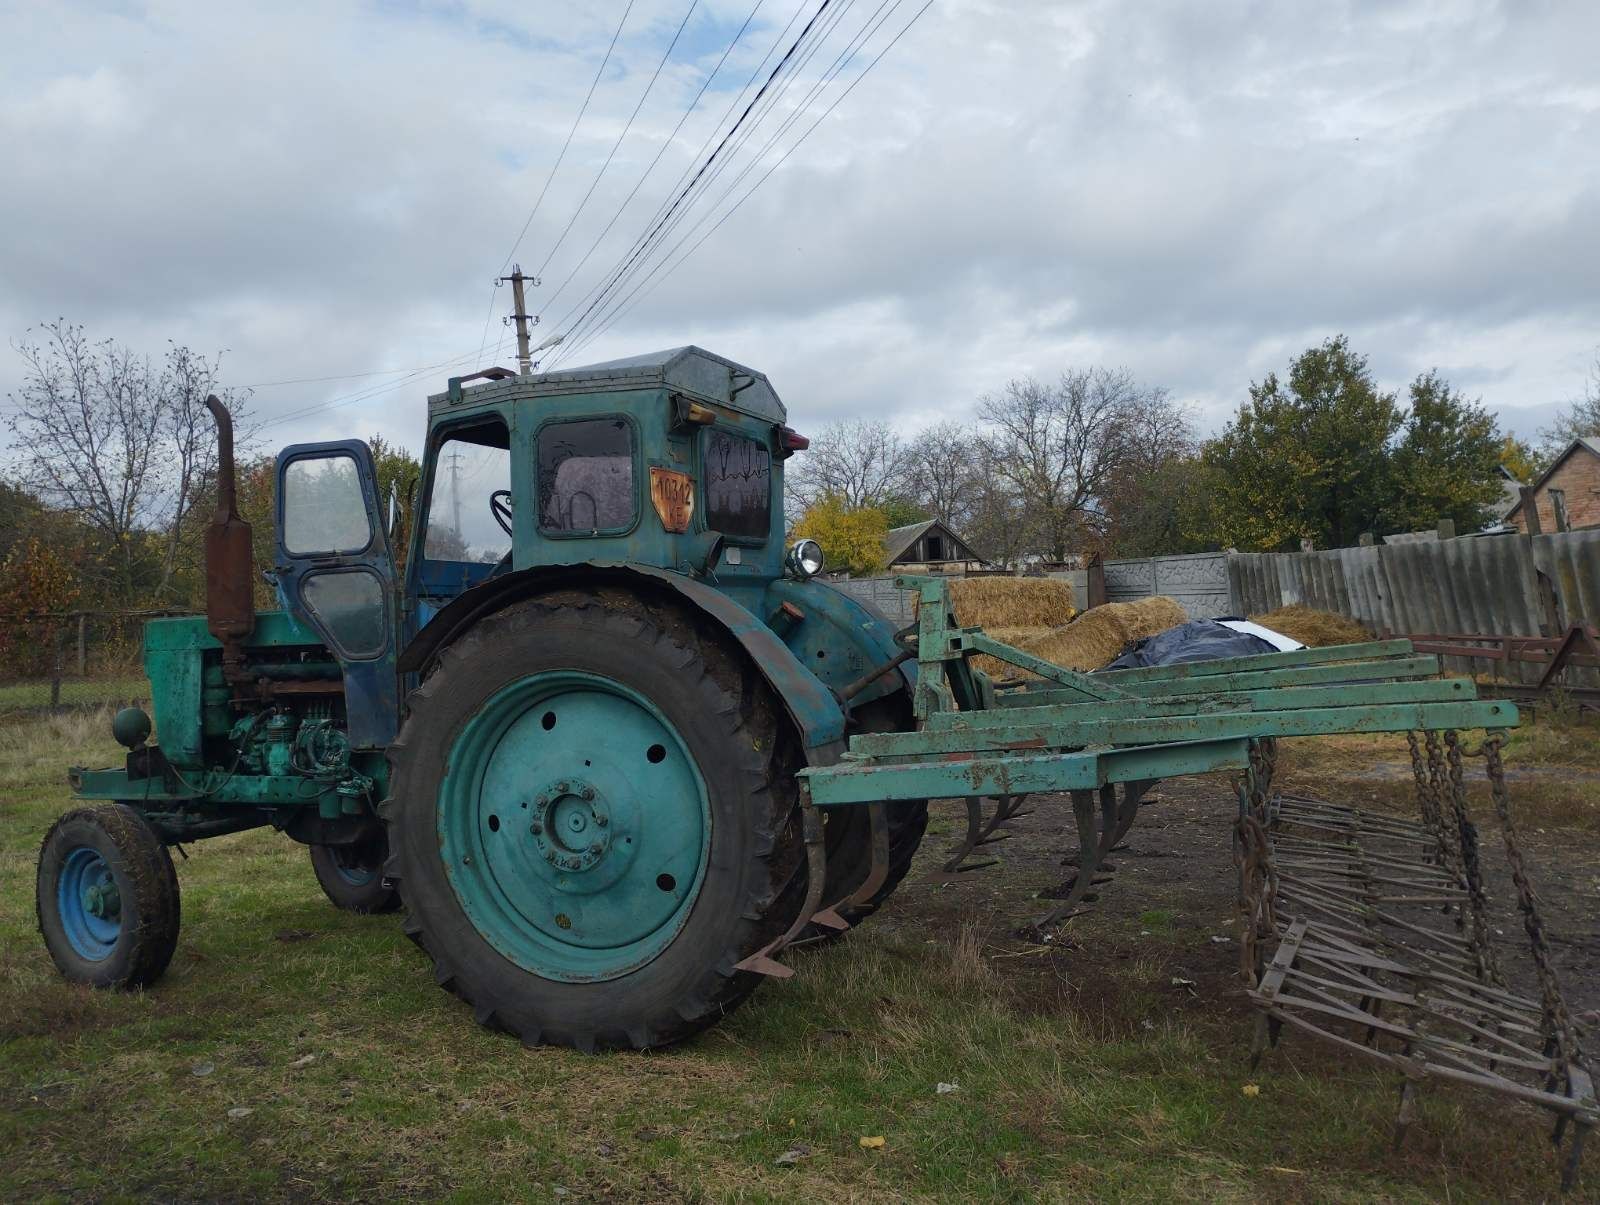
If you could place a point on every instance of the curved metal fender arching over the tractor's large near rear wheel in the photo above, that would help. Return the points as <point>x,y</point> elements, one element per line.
<point>815,710</point>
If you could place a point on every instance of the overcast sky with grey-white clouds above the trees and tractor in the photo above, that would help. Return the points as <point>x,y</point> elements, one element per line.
<point>1194,191</point>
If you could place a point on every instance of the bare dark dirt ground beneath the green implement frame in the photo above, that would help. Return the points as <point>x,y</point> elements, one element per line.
<point>1162,937</point>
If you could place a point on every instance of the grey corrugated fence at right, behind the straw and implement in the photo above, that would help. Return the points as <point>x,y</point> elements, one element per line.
<point>1482,585</point>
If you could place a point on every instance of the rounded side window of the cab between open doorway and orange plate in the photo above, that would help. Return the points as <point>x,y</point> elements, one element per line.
<point>586,476</point>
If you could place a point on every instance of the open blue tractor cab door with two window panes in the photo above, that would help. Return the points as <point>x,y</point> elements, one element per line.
<point>337,574</point>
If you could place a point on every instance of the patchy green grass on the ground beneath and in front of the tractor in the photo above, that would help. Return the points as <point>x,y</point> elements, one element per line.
<point>103,1095</point>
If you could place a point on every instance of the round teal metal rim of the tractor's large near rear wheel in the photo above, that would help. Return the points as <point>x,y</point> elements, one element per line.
<point>574,825</point>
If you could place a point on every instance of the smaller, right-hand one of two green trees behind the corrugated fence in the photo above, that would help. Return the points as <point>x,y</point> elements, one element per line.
<point>1447,462</point>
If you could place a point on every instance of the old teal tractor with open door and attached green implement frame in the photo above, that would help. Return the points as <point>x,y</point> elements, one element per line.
<point>607,742</point>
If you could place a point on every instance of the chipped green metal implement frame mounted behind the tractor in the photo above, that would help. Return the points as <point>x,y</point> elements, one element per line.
<point>1082,732</point>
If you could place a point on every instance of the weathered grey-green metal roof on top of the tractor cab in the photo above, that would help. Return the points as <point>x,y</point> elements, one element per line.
<point>684,370</point>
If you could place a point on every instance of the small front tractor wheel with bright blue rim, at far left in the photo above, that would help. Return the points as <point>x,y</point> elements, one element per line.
<point>108,899</point>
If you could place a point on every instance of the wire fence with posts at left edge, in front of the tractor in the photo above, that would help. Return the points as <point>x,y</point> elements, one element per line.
<point>73,660</point>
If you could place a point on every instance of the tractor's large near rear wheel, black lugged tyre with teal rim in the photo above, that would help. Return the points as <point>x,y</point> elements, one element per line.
<point>593,820</point>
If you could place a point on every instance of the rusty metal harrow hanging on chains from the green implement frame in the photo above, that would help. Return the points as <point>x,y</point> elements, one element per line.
<point>1382,942</point>
